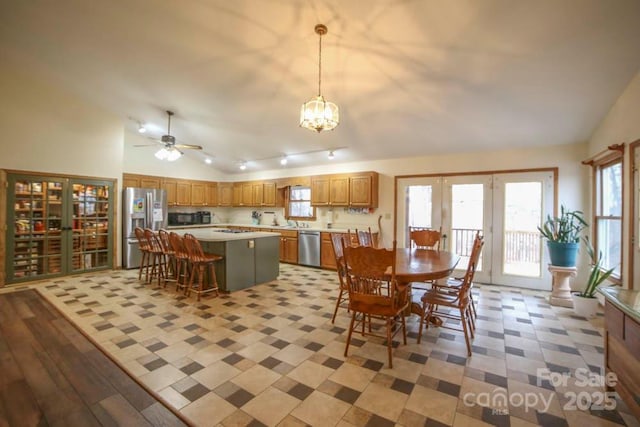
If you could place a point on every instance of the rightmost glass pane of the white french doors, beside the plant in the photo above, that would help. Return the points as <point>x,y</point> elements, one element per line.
<point>522,214</point>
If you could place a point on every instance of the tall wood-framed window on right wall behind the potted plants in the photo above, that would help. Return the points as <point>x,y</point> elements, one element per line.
<point>607,230</point>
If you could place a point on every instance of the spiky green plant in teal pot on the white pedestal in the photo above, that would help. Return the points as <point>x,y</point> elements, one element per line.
<point>563,236</point>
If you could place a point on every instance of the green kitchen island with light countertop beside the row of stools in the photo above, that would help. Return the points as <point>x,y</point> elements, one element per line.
<point>249,258</point>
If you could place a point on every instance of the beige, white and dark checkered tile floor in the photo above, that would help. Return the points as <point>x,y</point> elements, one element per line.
<point>269,355</point>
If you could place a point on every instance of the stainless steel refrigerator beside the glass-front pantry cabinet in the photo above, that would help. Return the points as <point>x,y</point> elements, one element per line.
<point>144,208</point>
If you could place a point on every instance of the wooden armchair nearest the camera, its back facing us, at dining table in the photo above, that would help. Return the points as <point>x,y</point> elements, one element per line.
<point>367,273</point>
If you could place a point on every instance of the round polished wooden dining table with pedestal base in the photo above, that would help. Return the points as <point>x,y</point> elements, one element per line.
<point>418,265</point>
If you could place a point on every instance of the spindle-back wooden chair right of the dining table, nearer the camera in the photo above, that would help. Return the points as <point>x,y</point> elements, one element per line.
<point>452,304</point>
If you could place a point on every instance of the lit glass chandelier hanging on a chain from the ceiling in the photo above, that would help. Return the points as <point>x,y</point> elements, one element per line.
<point>317,114</point>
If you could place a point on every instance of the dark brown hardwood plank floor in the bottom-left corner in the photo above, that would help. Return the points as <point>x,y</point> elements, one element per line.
<point>50,374</point>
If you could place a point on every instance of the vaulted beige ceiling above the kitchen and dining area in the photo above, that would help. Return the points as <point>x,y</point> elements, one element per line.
<point>411,78</point>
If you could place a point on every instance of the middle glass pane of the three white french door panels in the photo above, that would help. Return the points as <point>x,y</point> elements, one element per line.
<point>467,207</point>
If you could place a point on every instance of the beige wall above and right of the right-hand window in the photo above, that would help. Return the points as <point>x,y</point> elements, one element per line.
<point>622,125</point>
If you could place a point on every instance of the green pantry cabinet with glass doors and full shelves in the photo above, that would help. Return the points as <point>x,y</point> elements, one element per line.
<point>57,226</point>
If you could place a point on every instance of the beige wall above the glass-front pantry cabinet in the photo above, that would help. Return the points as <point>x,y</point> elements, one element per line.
<point>50,130</point>
